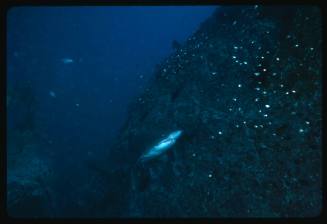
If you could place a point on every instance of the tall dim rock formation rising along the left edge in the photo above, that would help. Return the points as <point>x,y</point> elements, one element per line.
<point>29,174</point>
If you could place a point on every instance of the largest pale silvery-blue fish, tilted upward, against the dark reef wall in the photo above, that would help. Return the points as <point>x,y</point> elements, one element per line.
<point>162,146</point>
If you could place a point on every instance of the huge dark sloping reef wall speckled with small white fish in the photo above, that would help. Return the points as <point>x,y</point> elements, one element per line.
<point>246,91</point>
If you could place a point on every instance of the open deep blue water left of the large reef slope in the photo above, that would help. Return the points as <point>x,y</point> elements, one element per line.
<point>82,66</point>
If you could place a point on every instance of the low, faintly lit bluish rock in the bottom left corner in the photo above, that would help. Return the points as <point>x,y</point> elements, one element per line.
<point>28,190</point>
